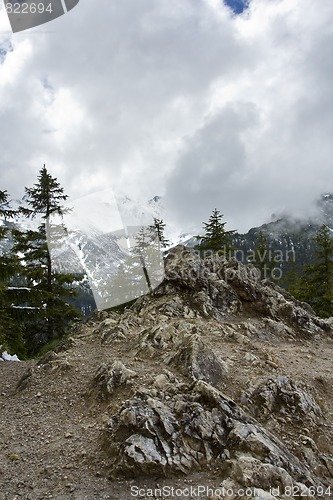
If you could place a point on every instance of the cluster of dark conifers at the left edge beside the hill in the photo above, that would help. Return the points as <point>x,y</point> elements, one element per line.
<point>36,300</point>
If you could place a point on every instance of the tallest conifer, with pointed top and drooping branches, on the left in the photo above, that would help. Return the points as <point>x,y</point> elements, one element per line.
<point>42,307</point>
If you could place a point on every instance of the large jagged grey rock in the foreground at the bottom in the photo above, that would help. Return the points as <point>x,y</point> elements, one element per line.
<point>179,432</point>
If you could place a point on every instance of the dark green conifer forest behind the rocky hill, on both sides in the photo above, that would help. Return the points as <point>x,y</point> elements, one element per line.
<point>38,303</point>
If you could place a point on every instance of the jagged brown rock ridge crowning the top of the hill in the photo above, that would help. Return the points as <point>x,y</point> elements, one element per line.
<point>218,287</point>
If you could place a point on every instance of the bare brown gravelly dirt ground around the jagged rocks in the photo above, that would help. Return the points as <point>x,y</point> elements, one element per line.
<point>50,430</point>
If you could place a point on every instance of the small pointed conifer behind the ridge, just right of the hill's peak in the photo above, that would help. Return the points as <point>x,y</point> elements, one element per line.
<point>216,238</point>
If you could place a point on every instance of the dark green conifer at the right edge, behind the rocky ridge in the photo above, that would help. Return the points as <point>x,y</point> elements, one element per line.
<point>316,284</point>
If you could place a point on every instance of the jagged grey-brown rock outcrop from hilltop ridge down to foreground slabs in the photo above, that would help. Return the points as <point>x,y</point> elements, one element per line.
<point>172,426</point>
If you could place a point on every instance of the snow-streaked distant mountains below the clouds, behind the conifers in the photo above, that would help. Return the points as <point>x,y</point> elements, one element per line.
<point>102,229</point>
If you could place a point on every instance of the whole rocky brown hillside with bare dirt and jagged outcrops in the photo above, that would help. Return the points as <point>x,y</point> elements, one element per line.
<point>218,380</point>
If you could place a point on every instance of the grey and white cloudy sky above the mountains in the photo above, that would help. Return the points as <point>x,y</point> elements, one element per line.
<point>180,98</point>
